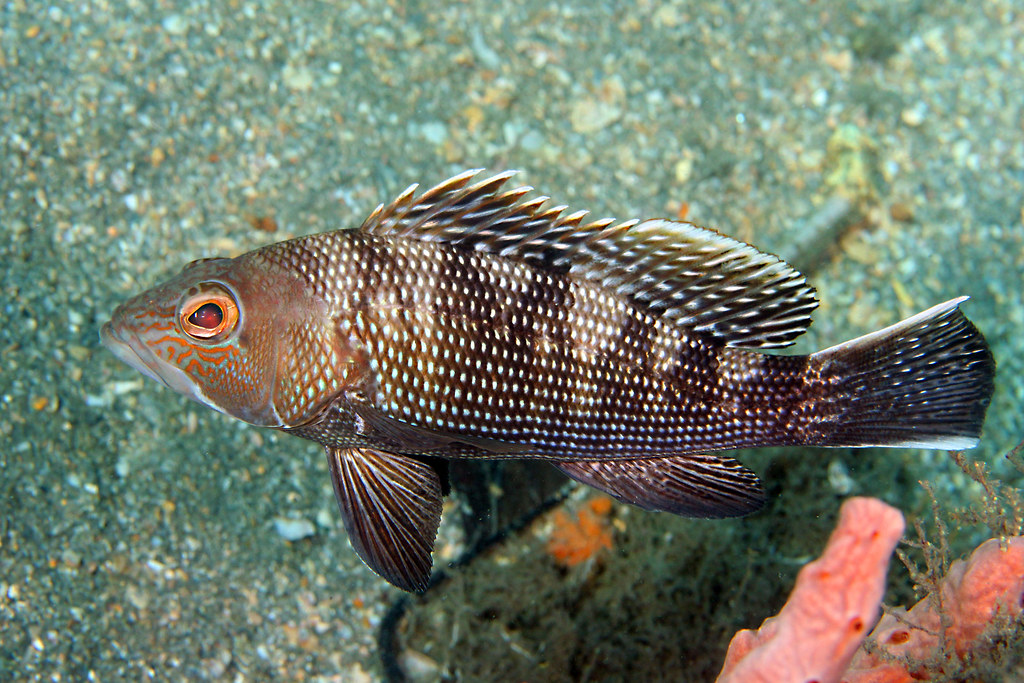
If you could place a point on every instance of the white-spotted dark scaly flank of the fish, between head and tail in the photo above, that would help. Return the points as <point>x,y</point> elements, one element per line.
<point>477,346</point>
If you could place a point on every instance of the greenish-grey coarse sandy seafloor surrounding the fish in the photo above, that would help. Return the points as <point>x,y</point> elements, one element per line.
<point>138,531</point>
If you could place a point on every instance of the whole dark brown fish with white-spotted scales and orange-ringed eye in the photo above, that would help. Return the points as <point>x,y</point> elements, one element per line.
<point>477,320</point>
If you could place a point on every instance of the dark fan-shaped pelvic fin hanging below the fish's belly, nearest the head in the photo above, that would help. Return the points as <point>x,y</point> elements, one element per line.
<point>392,506</point>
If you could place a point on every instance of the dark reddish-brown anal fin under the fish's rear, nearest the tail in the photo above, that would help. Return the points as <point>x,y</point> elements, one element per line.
<point>700,486</point>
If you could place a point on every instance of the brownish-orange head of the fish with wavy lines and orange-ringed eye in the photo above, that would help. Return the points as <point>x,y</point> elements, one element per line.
<point>210,334</point>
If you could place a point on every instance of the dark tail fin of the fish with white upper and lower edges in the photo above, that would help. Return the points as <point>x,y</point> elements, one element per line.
<point>925,382</point>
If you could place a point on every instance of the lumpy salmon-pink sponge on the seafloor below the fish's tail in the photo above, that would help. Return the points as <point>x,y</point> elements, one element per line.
<point>817,636</point>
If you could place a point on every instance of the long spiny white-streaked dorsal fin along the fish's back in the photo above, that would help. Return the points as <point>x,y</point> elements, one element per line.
<point>702,280</point>
